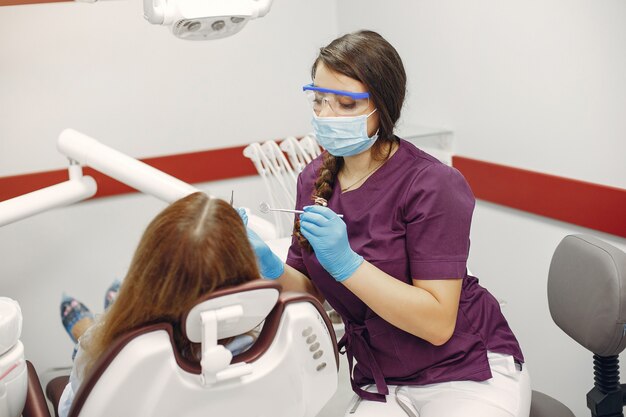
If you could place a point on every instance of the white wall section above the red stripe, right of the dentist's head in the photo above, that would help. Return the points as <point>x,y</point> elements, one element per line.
<point>537,84</point>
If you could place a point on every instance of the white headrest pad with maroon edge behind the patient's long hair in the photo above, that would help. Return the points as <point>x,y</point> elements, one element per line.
<point>257,298</point>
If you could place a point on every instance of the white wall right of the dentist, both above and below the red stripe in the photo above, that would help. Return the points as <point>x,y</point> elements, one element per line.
<point>538,85</point>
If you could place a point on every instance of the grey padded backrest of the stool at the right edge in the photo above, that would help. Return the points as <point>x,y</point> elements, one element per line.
<point>587,293</point>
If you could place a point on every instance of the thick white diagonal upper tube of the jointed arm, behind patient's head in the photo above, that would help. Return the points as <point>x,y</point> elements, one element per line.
<point>123,168</point>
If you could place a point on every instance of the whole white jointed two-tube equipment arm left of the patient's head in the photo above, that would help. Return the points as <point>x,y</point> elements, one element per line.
<point>80,148</point>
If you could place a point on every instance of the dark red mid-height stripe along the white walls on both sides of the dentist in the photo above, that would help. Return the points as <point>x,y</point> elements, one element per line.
<point>595,206</point>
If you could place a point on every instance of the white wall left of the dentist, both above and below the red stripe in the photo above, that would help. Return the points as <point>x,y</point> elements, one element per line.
<point>103,70</point>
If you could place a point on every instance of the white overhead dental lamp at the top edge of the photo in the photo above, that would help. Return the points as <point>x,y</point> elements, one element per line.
<point>204,19</point>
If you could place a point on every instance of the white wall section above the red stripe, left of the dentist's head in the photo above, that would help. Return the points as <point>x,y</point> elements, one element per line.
<point>102,69</point>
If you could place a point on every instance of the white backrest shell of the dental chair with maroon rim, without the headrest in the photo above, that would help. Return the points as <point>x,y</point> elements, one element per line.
<point>143,374</point>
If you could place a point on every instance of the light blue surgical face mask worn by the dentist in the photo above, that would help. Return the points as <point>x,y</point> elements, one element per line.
<point>343,136</point>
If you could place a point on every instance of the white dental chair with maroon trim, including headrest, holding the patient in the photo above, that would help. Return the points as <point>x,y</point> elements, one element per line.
<point>291,369</point>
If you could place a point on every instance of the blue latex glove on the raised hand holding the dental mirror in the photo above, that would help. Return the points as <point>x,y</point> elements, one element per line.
<point>327,234</point>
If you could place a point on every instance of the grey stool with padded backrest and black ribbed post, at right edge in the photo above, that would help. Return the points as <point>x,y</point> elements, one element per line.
<point>587,299</point>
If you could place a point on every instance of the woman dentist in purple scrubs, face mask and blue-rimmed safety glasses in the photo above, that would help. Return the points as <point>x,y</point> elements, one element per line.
<point>427,339</point>
